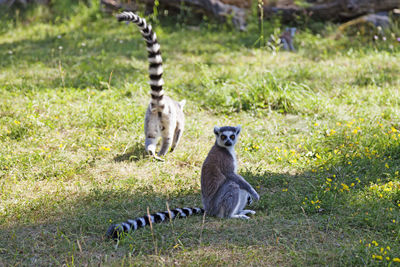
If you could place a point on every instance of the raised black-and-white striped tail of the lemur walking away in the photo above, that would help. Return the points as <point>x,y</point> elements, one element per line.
<point>154,56</point>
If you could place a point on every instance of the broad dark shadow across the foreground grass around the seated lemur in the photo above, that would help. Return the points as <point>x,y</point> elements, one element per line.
<point>73,230</point>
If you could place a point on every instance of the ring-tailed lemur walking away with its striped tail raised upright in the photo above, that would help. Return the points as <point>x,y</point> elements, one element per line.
<point>164,116</point>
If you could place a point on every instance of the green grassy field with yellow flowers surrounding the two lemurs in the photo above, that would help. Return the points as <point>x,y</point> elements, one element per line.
<point>320,143</point>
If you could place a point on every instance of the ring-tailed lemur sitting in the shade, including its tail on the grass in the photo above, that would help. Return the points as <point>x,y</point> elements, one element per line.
<point>224,192</point>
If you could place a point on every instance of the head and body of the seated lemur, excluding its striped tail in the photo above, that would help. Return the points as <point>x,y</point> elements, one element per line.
<point>224,192</point>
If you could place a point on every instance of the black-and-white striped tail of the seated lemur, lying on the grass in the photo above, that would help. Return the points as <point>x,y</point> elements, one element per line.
<point>116,230</point>
